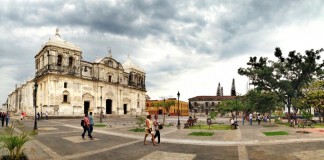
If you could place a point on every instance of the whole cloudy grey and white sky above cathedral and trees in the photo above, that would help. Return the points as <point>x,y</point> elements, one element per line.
<point>189,46</point>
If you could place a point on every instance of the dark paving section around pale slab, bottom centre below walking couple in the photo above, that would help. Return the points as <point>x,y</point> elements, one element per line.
<point>139,151</point>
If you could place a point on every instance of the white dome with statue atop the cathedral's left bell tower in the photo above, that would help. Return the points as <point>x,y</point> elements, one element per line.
<point>58,41</point>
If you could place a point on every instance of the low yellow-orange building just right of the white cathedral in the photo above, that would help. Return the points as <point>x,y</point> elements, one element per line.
<point>157,107</point>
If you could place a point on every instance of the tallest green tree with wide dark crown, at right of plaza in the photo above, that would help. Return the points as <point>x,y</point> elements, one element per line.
<point>285,76</point>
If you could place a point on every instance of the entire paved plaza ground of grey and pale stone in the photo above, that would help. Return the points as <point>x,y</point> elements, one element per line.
<point>61,139</point>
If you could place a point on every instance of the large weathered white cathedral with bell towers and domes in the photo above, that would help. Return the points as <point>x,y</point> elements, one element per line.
<point>68,85</point>
